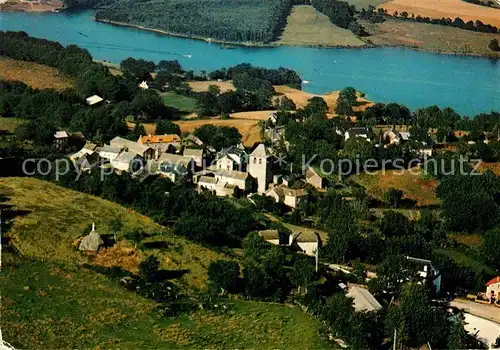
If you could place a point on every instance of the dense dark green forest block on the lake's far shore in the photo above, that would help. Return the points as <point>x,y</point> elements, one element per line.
<point>235,20</point>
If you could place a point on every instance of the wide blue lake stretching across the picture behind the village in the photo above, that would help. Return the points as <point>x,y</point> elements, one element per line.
<point>416,79</point>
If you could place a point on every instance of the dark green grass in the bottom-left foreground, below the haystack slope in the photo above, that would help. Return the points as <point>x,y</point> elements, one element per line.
<point>52,306</point>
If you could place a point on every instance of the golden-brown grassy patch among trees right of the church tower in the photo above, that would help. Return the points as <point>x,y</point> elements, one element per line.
<point>413,186</point>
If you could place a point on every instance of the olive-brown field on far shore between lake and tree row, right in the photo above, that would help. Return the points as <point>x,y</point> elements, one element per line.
<point>430,37</point>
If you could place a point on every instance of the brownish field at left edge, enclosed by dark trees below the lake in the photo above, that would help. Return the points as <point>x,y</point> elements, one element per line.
<point>33,74</point>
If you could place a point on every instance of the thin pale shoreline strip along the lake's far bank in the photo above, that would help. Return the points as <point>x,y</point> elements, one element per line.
<point>277,44</point>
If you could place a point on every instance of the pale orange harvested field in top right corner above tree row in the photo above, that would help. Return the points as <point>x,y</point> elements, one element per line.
<point>445,8</point>
